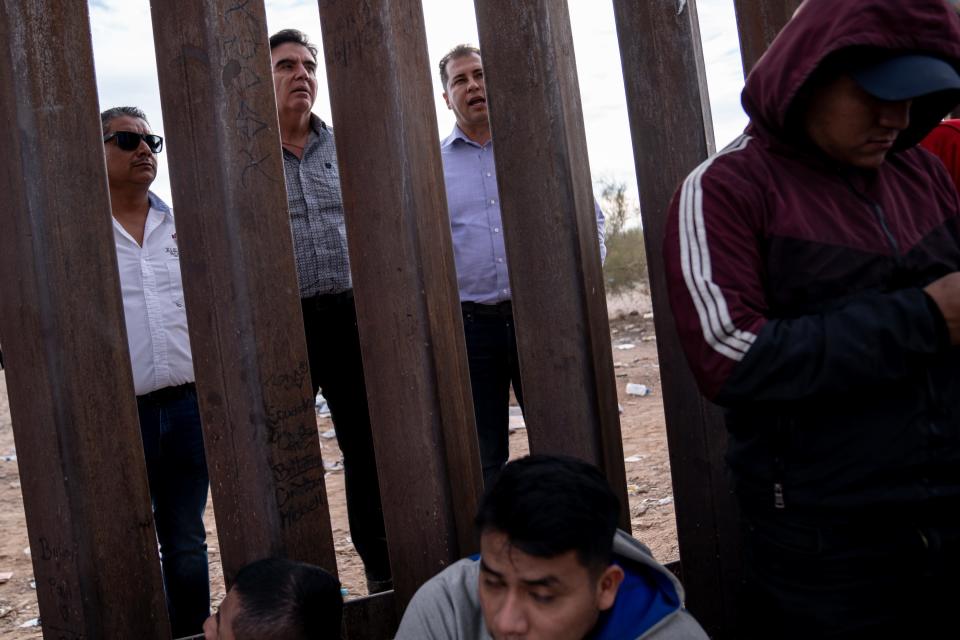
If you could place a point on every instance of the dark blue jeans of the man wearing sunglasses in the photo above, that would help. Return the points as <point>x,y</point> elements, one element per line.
<point>177,471</point>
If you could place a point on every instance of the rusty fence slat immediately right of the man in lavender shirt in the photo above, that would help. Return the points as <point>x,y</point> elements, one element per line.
<point>543,174</point>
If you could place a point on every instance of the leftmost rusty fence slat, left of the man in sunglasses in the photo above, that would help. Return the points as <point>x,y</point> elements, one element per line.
<point>72,403</point>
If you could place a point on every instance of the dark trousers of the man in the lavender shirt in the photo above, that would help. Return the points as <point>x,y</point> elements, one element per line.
<point>492,353</point>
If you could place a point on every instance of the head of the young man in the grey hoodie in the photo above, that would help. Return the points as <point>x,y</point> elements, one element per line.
<point>546,544</point>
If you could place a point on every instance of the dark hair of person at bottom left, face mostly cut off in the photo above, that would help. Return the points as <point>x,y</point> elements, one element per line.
<point>287,600</point>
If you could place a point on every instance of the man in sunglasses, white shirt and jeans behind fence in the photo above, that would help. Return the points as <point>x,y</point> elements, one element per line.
<point>156,320</point>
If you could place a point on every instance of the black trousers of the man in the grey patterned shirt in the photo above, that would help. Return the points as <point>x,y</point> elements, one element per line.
<point>336,369</point>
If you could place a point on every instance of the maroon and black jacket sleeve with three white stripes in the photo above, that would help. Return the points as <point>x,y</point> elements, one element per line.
<point>738,350</point>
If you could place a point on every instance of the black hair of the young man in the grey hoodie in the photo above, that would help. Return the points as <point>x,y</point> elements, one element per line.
<point>549,505</point>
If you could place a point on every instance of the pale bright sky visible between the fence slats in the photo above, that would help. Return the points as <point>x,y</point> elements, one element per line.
<point>126,68</point>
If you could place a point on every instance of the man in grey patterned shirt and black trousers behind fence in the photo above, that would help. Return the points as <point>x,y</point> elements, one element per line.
<point>326,289</point>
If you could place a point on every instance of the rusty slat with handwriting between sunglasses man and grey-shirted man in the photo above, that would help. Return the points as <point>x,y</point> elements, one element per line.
<point>239,277</point>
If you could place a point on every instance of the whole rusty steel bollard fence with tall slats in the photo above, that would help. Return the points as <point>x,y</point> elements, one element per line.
<point>71,394</point>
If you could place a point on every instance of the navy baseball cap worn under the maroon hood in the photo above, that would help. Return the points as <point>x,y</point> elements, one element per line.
<point>907,77</point>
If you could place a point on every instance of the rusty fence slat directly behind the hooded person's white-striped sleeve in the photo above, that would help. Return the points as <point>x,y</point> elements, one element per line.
<point>672,131</point>
